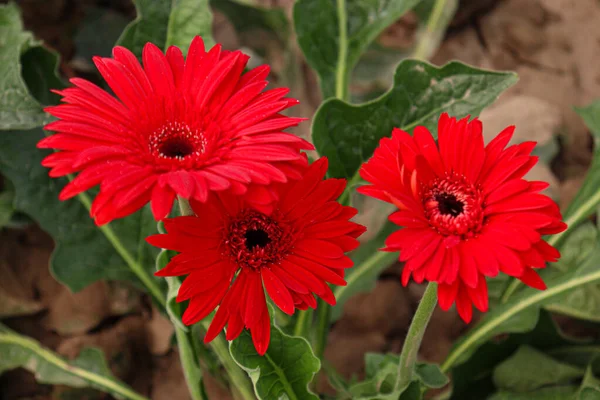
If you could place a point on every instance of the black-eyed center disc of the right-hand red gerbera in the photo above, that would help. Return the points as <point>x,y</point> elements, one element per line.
<point>453,206</point>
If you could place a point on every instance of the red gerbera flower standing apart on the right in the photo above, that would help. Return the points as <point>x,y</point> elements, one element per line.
<point>466,210</point>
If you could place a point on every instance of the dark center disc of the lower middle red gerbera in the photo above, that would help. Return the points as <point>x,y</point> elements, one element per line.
<point>257,240</point>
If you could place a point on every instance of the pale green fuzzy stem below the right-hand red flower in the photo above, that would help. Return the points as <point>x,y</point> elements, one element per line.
<point>412,343</point>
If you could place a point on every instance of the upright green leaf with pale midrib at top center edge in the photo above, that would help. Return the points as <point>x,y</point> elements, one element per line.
<point>334,34</point>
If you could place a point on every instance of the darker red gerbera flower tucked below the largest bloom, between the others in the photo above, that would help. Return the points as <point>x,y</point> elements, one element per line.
<point>292,252</point>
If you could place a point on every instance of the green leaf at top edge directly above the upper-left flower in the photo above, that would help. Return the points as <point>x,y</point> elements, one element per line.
<point>166,23</point>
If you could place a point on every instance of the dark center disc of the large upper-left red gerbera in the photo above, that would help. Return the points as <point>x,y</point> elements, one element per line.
<point>176,141</point>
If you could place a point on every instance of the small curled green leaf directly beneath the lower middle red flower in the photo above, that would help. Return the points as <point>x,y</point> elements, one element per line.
<point>285,370</point>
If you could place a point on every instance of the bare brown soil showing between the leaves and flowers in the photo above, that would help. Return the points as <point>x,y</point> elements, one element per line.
<point>554,46</point>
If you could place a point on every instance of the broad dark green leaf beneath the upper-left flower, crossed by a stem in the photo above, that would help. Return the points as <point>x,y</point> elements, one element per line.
<point>82,254</point>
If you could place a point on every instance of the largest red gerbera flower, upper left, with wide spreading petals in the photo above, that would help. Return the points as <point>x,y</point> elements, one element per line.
<point>177,127</point>
